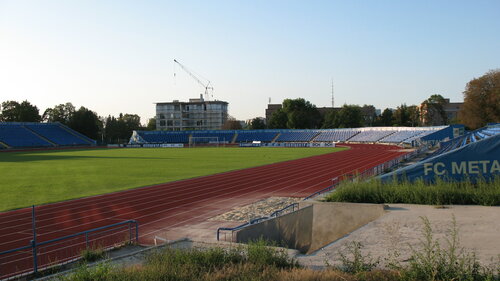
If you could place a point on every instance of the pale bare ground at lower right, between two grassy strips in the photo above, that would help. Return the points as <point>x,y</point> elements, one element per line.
<point>401,228</point>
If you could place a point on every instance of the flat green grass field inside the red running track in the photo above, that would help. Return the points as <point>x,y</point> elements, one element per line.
<point>38,177</point>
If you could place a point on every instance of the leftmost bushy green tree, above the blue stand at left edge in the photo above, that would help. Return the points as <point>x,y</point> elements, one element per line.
<point>12,111</point>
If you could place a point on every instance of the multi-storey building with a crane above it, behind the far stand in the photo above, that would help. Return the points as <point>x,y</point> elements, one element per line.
<point>197,114</point>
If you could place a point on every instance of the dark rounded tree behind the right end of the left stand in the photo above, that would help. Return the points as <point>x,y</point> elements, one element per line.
<point>87,122</point>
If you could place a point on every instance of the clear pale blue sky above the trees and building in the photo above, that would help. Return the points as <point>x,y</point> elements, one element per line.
<point>117,56</point>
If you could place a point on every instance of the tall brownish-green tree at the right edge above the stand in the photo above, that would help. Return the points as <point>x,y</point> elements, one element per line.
<point>481,101</point>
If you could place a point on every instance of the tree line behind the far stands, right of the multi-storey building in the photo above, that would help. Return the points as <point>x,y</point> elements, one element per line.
<point>481,106</point>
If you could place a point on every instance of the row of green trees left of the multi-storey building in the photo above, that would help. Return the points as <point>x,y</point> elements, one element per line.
<point>108,129</point>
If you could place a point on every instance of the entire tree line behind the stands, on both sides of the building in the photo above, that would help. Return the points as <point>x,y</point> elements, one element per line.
<point>481,106</point>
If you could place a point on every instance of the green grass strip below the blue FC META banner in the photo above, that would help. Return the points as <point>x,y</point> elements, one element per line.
<point>440,193</point>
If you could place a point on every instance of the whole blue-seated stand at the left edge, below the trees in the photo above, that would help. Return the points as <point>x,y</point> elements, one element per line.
<point>26,135</point>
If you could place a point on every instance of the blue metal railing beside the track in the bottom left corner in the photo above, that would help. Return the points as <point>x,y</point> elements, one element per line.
<point>21,266</point>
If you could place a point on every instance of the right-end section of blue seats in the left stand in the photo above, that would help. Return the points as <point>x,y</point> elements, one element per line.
<point>56,134</point>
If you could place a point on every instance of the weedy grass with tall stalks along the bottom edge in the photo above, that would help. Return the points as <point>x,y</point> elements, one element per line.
<point>430,261</point>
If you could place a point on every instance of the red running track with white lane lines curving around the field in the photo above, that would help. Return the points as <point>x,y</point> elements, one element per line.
<point>186,202</point>
